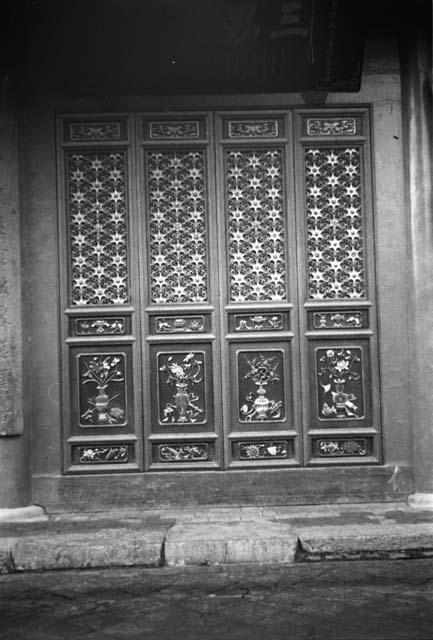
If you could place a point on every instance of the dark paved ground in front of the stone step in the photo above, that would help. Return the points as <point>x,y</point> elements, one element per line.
<point>361,600</point>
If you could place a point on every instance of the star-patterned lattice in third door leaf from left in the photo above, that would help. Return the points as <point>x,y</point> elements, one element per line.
<point>255,225</point>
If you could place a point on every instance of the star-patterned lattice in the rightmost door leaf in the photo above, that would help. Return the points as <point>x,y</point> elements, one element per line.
<point>334,223</point>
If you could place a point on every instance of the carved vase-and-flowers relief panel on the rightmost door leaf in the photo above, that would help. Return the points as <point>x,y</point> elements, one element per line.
<point>340,391</point>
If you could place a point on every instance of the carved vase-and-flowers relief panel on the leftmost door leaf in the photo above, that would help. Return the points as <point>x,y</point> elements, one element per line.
<point>102,389</point>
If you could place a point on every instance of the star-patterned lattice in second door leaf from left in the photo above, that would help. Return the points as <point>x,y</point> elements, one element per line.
<point>178,236</point>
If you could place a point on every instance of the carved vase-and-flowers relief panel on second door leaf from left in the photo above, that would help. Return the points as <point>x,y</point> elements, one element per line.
<point>183,374</point>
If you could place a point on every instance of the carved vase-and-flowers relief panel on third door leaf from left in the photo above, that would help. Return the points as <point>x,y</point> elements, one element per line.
<point>257,372</point>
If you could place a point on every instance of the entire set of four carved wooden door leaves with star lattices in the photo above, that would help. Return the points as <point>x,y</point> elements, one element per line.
<point>219,291</point>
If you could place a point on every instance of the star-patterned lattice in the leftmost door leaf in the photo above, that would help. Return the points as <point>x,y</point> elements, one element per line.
<point>97,228</point>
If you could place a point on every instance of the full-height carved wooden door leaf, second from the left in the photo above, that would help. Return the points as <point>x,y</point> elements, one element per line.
<point>180,307</point>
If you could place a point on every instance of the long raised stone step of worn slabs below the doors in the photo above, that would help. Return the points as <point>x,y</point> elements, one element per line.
<point>217,536</point>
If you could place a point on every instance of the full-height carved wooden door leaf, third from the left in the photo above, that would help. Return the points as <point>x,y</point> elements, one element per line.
<point>260,350</point>
